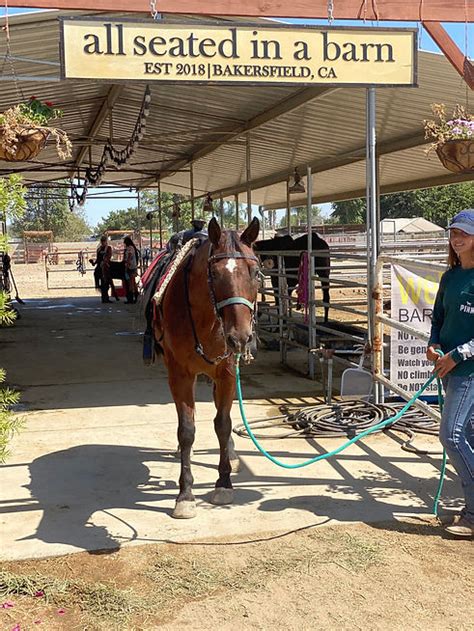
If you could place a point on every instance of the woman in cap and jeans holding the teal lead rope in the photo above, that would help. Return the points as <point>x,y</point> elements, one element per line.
<point>452,332</point>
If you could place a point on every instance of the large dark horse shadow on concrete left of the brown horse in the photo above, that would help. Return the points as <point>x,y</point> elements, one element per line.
<point>86,482</point>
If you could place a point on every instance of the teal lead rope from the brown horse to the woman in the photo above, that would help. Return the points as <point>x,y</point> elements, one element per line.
<point>329,454</point>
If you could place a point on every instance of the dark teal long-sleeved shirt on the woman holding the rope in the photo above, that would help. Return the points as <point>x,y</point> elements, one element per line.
<point>453,317</point>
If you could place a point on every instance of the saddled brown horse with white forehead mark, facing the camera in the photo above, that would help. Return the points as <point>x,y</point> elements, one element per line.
<point>206,316</point>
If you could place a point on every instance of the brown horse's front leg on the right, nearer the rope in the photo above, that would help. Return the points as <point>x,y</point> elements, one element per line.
<point>224,391</point>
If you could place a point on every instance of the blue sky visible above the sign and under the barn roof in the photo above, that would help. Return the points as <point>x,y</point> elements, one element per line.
<point>462,34</point>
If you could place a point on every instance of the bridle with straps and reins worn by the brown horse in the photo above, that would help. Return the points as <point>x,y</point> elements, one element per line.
<point>217,306</point>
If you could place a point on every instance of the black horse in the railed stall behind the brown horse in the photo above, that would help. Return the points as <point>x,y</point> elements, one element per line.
<point>322,260</point>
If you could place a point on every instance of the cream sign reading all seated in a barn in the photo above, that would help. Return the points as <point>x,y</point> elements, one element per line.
<point>249,54</point>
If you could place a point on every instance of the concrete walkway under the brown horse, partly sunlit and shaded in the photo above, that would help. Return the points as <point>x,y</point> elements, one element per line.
<point>94,467</point>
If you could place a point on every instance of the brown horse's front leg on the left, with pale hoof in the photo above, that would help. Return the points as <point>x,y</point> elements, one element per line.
<point>182,389</point>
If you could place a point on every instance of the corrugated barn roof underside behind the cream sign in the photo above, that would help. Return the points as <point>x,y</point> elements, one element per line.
<point>207,126</point>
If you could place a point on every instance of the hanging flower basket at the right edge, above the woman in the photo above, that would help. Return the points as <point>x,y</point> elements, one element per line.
<point>453,138</point>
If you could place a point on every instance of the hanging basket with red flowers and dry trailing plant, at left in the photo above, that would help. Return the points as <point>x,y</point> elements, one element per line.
<point>24,131</point>
